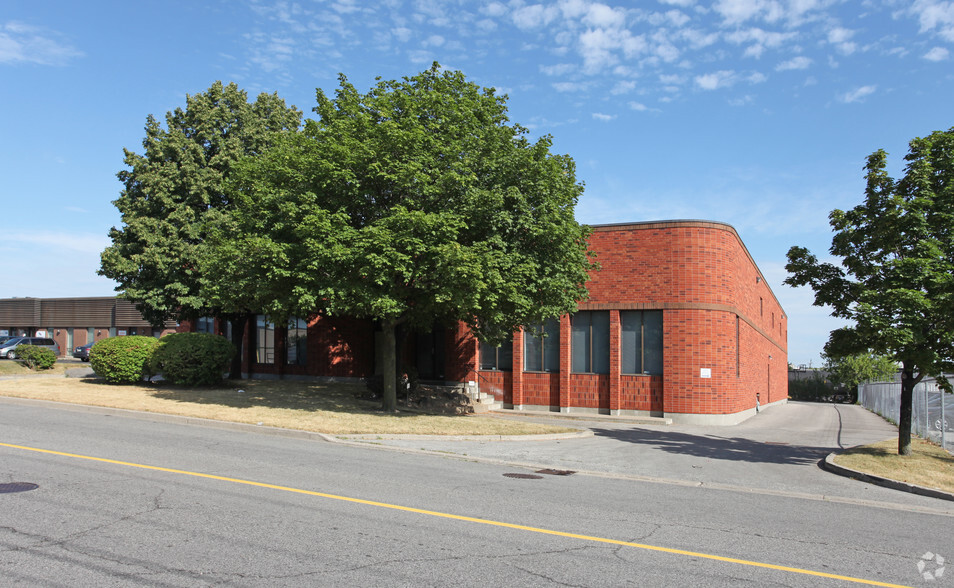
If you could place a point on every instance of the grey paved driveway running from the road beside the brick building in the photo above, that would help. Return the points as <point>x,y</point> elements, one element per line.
<point>775,452</point>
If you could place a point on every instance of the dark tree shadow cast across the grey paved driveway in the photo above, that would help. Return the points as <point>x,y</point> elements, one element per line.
<point>721,448</point>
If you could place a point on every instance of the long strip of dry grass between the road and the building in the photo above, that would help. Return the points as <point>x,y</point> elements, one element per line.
<point>335,409</point>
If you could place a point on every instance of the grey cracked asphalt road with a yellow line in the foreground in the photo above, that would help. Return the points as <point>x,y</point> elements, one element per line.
<point>137,502</point>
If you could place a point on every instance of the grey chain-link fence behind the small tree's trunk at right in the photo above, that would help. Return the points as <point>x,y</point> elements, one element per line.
<point>932,416</point>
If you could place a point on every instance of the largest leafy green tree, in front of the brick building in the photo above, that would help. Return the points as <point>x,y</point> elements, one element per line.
<point>413,204</point>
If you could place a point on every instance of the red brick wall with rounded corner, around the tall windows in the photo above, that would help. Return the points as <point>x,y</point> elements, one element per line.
<point>718,315</point>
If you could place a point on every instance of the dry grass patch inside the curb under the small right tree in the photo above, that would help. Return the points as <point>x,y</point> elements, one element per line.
<point>928,465</point>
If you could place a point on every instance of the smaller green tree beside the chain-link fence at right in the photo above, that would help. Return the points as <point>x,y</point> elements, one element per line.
<point>896,278</point>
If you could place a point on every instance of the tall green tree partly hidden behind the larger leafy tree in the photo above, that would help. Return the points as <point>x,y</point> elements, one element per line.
<point>175,189</point>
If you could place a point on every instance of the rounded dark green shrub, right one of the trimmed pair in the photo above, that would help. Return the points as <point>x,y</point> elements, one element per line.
<point>193,359</point>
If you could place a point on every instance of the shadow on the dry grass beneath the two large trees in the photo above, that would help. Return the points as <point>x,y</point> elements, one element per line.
<point>287,395</point>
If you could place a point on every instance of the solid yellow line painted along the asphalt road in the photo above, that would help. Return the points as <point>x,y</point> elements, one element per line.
<point>463,518</point>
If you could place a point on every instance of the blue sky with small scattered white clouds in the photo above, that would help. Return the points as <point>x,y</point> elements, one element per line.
<point>758,113</point>
